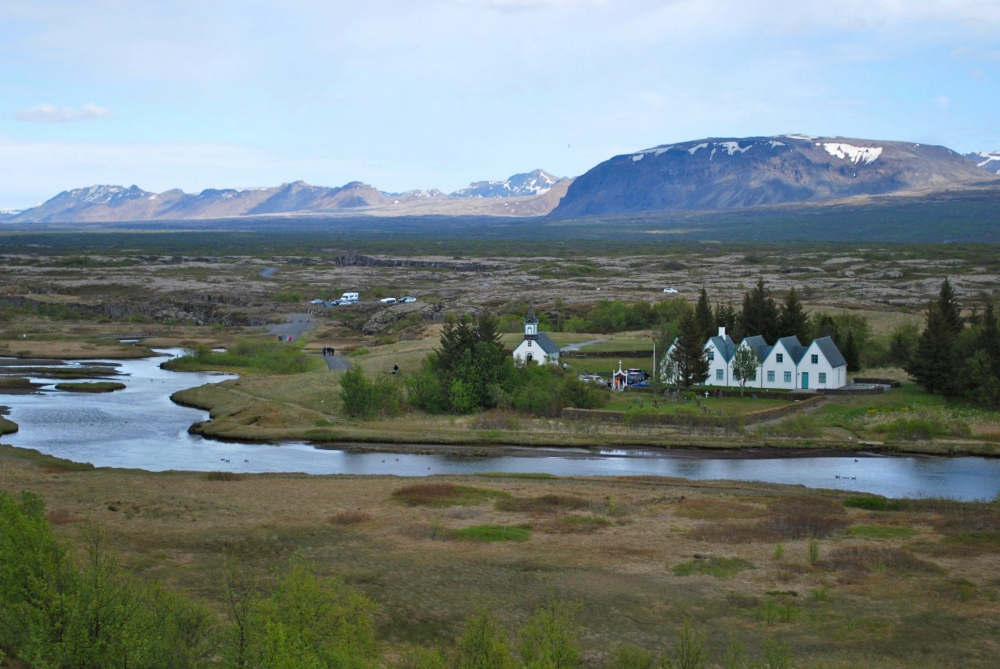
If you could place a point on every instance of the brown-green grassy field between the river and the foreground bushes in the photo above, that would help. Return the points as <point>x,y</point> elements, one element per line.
<point>892,589</point>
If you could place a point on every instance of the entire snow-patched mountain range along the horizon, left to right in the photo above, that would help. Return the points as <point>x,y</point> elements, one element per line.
<point>699,175</point>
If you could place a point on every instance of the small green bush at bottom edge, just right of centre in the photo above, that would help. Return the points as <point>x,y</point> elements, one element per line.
<point>550,637</point>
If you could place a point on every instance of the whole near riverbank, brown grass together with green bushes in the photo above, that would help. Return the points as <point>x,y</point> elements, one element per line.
<point>373,571</point>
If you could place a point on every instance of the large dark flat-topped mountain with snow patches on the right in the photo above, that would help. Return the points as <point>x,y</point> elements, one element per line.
<point>730,173</point>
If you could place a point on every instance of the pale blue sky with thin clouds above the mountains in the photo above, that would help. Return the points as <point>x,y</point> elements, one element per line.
<point>406,94</point>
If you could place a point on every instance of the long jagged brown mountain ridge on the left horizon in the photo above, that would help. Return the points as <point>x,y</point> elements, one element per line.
<point>117,203</point>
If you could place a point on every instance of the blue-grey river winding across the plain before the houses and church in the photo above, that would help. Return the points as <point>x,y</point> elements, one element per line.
<point>141,428</point>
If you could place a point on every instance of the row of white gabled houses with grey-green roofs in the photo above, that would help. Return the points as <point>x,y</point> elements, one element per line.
<point>788,365</point>
